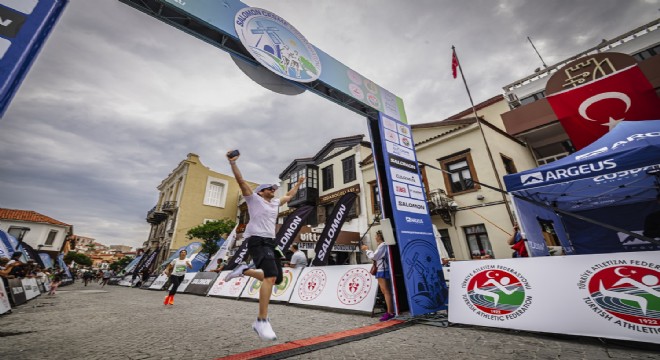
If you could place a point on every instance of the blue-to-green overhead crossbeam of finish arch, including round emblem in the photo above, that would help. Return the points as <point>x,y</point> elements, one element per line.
<point>277,51</point>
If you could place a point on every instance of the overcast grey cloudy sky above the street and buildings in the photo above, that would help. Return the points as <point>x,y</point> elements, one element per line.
<point>116,99</point>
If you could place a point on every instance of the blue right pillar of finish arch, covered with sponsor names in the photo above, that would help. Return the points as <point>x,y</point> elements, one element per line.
<point>424,279</point>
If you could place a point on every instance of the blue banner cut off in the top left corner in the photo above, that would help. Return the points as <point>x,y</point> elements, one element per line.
<point>24,28</point>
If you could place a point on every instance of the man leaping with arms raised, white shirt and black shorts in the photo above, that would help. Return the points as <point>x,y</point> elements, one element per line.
<point>260,235</point>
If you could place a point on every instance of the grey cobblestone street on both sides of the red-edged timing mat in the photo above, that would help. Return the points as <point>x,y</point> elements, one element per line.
<point>122,323</point>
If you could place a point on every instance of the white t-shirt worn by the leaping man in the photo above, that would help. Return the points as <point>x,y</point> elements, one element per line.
<point>263,215</point>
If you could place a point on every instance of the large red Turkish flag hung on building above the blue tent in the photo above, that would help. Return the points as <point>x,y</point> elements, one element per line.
<point>589,111</point>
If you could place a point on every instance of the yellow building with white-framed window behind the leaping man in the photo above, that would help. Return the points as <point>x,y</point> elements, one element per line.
<point>189,196</point>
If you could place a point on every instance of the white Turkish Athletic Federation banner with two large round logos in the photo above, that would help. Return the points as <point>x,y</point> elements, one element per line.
<point>614,295</point>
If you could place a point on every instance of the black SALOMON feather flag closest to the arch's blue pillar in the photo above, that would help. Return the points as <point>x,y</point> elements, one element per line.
<point>332,229</point>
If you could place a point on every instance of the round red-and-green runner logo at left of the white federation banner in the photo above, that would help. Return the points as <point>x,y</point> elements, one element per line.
<point>496,292</point>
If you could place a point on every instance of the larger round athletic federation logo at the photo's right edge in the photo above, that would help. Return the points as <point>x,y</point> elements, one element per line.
<point>626,293</point>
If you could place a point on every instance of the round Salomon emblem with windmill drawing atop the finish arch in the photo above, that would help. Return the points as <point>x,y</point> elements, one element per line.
<point>277,45</point>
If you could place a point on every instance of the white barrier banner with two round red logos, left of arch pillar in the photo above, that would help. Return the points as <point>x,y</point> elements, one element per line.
<point>345,287</point>
